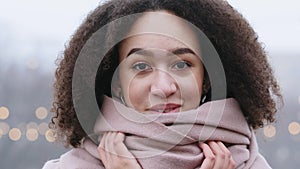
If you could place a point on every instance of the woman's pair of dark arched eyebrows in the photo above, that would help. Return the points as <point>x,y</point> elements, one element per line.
<point>176,51</point>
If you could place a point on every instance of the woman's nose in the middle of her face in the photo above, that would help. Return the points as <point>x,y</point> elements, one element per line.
<point>163,85</point>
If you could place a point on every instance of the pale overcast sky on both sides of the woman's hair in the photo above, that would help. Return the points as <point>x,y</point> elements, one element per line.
<point>33,32</point>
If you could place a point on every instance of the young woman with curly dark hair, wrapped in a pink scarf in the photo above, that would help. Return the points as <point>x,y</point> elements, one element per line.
<point>191,80</point>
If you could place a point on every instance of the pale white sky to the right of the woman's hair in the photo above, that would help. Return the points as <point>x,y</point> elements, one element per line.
<point>277,22</point>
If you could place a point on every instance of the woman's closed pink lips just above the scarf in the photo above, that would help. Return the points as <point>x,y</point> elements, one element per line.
<point>165,108</point>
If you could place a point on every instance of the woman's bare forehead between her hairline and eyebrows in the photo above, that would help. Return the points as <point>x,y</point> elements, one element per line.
<point>160,30</point>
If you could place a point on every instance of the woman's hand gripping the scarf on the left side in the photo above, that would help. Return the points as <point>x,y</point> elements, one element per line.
<point>114,154</point>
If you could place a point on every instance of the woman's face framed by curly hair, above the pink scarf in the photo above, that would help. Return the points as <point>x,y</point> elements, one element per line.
<point>157,73</point>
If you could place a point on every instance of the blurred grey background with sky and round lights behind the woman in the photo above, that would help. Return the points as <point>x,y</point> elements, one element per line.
<point>33,34</point>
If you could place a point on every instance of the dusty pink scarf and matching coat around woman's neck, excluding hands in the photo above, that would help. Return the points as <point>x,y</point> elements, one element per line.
<point>165,141</point>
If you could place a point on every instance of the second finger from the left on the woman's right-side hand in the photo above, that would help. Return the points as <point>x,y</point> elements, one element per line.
<point>219,154</point>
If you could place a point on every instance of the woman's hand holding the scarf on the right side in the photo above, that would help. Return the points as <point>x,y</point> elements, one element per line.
<point>217,156</point>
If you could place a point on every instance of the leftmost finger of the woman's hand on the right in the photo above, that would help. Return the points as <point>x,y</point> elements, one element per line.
<point>209,159</point>
